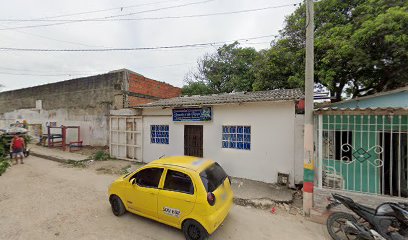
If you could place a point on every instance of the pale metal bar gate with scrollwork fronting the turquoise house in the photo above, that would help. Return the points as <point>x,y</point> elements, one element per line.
<point>363,150</point>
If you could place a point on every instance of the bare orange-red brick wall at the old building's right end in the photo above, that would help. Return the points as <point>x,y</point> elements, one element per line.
<point>155,89</point>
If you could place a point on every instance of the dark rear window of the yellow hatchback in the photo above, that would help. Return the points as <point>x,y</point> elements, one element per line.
<point>213,177</point>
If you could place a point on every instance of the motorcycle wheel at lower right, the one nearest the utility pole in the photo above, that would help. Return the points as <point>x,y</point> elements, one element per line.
<point>335,225</point>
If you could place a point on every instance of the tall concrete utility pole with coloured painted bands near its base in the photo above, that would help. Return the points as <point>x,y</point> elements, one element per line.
<point>308,132</point>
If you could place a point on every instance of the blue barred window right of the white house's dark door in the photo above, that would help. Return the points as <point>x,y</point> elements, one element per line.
<point>238,137</point>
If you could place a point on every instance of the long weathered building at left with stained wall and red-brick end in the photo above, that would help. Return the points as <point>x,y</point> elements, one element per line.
<point>83,102</point>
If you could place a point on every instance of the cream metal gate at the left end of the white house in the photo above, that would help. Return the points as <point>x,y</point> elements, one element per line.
<point>125,138</point>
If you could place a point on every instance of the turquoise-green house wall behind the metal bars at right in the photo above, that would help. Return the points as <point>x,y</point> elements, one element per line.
<point>362,174</point>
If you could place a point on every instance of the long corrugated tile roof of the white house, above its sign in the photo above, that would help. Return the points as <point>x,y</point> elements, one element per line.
<point>226,98</point>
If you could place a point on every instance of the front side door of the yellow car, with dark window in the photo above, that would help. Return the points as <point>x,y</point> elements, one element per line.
<point>142,196</point>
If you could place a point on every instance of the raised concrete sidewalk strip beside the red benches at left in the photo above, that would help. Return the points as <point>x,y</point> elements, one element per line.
<point>55,154</point>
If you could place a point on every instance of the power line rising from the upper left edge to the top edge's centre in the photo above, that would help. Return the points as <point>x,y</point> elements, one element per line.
<point>113,16</point>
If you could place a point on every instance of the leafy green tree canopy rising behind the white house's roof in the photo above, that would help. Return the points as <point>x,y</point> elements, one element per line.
<point>361,47</point>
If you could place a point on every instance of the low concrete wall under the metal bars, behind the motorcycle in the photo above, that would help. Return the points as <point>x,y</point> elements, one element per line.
<point>320,196</point>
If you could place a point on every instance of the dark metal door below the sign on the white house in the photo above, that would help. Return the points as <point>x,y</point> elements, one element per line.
<point>193,140</point>
